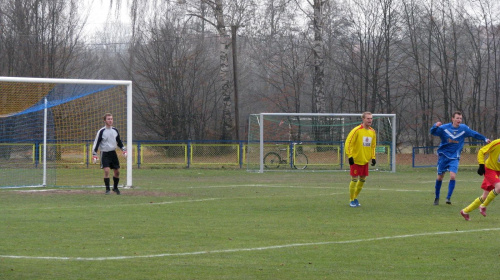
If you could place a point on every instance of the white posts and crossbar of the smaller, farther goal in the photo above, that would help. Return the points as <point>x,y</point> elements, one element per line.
<point>261,127</point>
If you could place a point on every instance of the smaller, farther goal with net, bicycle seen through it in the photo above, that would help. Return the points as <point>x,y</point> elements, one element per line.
<point>314,142</point>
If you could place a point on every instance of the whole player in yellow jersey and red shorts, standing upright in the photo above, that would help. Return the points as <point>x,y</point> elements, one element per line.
<point>360,150</point>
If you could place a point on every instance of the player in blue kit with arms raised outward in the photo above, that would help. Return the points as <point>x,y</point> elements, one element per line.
<point>452,141</point>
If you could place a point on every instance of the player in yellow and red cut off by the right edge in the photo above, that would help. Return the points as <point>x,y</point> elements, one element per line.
<point>491,183</point>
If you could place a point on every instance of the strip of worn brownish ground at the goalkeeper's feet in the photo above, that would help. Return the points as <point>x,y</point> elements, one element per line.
<point>127,192</point>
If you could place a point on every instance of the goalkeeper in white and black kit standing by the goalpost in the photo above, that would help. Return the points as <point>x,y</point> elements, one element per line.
<point>106,140</point>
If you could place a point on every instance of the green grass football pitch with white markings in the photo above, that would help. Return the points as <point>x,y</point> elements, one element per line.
<point>231,224</point>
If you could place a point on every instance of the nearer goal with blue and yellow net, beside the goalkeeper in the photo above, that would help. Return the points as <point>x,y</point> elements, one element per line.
<point>48,126</point>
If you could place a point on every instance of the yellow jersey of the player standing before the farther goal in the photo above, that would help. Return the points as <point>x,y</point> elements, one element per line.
<point>360,144</point>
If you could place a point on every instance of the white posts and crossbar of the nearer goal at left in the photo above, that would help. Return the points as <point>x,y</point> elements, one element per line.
<point>126,83</point>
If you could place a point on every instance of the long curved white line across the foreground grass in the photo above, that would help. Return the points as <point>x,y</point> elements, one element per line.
<point>250,249</point>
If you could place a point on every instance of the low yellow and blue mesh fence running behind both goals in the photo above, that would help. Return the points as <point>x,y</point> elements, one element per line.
<point>188,154</point>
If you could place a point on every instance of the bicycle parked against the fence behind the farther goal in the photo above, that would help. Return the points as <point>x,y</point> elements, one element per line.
<point>298,159</point>
